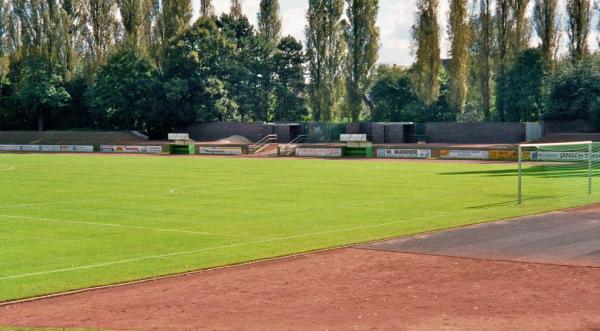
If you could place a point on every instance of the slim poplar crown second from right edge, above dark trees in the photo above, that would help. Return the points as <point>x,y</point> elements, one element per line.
<point>546,22</point>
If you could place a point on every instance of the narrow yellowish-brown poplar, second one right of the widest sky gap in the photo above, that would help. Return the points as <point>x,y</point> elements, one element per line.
<point>459,63</point>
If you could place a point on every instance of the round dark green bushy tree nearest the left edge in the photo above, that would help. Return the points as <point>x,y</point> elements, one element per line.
<point>39,88</point>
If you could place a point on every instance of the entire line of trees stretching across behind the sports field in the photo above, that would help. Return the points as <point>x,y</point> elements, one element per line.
<point>146,65</point>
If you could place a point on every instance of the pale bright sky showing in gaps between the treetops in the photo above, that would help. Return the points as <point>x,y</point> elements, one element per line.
<point>395,20</point>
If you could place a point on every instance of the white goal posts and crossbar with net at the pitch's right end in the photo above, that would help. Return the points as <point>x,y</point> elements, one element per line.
<point>577,157</point>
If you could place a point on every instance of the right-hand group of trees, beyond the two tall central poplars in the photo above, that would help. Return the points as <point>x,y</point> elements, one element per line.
<point>493,73</point>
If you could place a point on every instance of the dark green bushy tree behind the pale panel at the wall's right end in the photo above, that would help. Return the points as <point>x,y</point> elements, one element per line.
<point>522,91</point>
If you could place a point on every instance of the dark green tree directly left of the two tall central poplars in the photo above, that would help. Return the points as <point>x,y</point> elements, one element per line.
<point>289,83</point>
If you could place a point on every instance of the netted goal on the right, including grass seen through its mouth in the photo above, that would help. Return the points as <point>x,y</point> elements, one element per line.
<point>565,173</point>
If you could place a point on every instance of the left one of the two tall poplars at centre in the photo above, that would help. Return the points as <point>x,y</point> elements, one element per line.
<point>326,53</point>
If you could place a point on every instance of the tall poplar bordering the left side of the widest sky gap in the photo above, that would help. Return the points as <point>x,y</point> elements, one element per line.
<point>362,38</point>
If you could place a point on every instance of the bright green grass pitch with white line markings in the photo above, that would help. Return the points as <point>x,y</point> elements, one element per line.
<point>70,222</point>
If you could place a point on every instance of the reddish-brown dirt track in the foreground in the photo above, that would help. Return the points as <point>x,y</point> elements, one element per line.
<point>345,289</point>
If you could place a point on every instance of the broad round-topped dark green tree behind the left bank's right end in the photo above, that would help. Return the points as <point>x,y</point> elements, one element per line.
<point>126,93</point>
